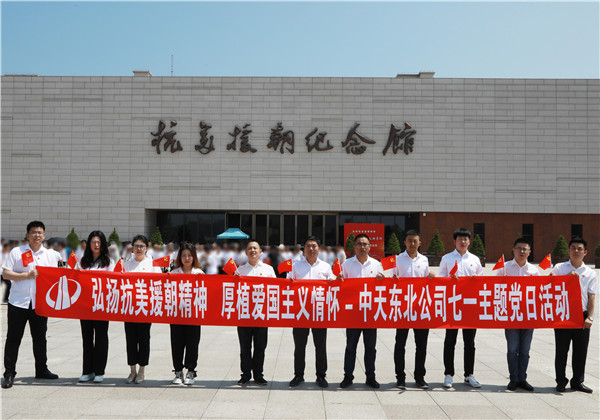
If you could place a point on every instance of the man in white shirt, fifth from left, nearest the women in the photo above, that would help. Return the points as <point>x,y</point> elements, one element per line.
<point>252,364</point>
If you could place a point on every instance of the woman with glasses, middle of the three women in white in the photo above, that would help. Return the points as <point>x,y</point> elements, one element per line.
<point>137,334</point>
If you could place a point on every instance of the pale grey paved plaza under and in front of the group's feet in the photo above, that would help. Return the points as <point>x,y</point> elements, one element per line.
<point>215,394</point>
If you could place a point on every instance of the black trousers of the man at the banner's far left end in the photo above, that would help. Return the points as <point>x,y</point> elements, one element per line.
<point>38,325</point>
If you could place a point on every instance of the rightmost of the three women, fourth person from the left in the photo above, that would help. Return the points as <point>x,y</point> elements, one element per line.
<point>185,338</point>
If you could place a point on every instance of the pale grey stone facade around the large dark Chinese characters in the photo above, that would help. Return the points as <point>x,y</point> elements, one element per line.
<point>76,151</point>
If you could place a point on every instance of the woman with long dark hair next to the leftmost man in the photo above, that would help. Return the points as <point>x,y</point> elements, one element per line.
<point>94,333</point>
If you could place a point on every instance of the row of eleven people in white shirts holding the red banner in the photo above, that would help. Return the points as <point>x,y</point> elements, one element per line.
<point>310,265</point>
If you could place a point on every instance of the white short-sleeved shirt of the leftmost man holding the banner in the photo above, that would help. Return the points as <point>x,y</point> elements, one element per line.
<point>22,292</point>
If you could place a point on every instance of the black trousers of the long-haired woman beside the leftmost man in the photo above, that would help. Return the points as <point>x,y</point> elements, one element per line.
<point>94,335</point>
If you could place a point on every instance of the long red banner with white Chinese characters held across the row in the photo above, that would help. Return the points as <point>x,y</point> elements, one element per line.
<point>481,302</point>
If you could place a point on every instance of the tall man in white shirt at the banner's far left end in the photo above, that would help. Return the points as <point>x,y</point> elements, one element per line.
<point>21,303</point>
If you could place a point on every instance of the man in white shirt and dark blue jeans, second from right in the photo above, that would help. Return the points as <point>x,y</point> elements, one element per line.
<point>518,340</point>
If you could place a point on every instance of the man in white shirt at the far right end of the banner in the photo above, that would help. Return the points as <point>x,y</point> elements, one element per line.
<point>580,337</point>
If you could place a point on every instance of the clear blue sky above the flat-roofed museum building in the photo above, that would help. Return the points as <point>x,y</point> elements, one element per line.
<point>471,39</point>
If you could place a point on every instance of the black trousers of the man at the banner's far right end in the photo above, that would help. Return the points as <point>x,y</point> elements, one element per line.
<point>563,338</point>
